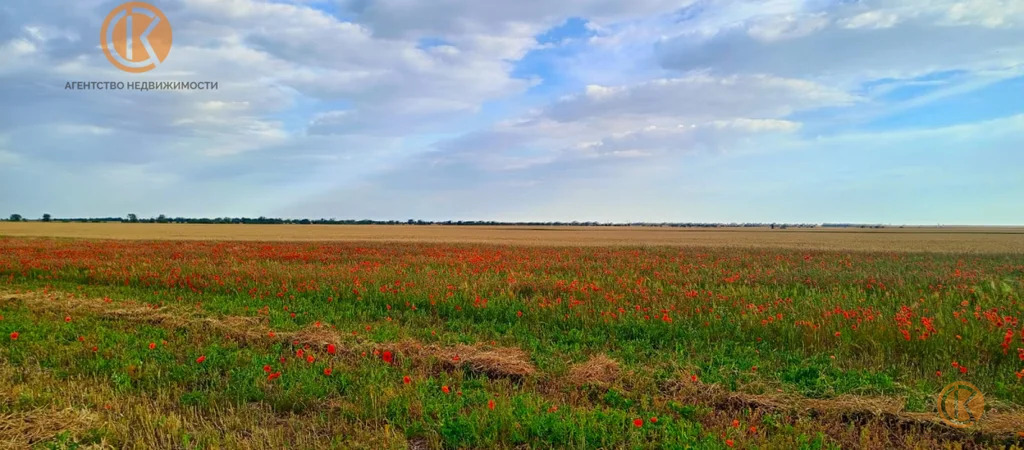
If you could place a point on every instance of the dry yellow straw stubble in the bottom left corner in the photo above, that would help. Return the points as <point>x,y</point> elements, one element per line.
<point>158,421</point>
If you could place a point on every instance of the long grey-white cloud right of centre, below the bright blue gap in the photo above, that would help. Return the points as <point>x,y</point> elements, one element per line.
<point>688,115</point>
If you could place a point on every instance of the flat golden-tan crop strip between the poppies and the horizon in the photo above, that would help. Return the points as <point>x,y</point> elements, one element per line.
<point>974,240</point>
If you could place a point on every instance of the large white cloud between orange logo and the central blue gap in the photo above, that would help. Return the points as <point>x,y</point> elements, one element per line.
<point>386,81</point>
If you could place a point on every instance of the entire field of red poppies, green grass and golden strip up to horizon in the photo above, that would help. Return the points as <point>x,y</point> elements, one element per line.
<point>329,337</point>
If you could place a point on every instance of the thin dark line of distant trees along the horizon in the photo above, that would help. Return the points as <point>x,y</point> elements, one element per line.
<point>162,219</point>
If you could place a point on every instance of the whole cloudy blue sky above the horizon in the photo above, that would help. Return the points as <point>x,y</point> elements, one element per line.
<point>904,112</point>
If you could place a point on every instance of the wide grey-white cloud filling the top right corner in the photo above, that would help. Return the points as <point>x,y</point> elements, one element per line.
<point>859,42</point>
